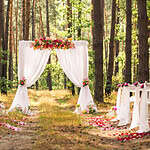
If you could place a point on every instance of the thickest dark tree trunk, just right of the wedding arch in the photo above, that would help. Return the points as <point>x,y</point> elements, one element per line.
<point>98,33</point>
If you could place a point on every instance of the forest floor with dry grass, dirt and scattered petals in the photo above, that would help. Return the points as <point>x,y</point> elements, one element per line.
<point>53,126</point>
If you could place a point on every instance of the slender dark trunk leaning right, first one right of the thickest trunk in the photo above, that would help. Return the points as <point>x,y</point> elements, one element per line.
<point>111,50</point>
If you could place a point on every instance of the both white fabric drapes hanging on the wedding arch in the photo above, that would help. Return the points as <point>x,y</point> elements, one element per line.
<point>74,62</point>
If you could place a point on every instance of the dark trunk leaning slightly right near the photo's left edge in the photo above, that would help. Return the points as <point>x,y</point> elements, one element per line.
<point>5,50</point>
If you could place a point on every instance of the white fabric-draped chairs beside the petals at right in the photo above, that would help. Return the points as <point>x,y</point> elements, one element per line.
<point>140,96</point>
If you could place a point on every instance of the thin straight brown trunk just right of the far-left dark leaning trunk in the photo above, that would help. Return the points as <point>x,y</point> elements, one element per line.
<point>10,77</point>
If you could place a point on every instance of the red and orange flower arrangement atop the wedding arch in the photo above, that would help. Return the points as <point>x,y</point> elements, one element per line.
<point>48,43</point>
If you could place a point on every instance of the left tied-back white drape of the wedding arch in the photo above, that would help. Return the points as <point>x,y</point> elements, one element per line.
<point>30,66</point>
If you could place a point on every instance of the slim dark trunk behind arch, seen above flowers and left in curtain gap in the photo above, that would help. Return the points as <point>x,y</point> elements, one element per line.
<point>49,79</point>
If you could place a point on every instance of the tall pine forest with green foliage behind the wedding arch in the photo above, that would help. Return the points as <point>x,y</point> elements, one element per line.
<point>117,32</point>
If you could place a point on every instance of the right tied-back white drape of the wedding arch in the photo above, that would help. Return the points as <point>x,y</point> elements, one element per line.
<point>75,65</point>
